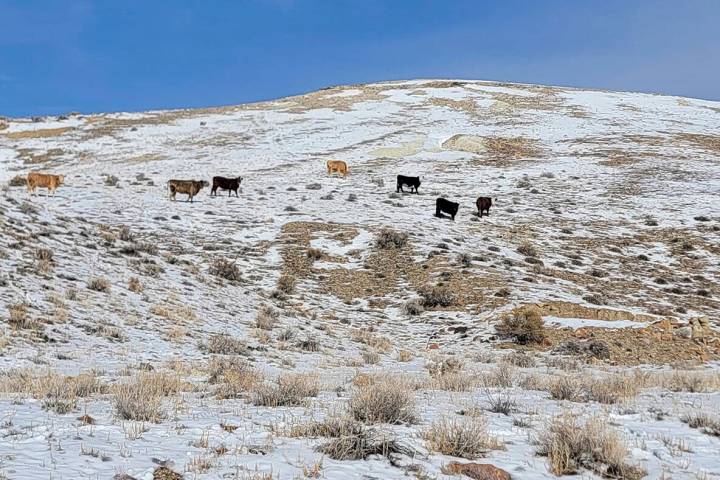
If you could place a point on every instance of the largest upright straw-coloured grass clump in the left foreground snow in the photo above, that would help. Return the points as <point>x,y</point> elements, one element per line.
<point>141,398</point>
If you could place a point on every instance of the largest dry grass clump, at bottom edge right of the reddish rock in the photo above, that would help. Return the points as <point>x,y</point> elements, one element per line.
<point>571,445</point>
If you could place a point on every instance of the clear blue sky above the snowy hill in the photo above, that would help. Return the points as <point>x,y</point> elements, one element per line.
<point>58,56</point>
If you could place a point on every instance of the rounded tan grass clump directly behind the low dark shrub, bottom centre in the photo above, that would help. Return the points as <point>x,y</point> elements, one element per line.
<point>387,400</point>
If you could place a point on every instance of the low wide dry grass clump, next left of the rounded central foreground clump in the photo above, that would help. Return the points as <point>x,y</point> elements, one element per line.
<point>289,390</point>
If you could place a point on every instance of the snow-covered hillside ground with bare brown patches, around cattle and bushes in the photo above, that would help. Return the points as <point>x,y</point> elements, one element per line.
<point>616,195</point>
